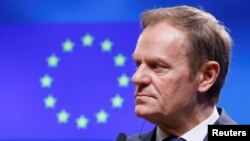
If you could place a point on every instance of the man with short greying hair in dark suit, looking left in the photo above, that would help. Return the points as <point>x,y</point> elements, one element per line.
<point>182,59</point>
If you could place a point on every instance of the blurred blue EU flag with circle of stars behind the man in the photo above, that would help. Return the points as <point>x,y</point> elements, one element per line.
<point>67,81</point>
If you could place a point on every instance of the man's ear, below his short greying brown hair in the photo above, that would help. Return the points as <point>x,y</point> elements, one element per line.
<point>209,74</point>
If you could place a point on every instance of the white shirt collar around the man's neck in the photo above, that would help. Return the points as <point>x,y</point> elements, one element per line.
<point>197,133</point>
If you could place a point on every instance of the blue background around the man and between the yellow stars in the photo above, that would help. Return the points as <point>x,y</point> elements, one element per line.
<point>86,79</point>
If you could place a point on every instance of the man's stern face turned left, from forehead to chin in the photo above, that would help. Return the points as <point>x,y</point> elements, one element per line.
<point>162,78</point>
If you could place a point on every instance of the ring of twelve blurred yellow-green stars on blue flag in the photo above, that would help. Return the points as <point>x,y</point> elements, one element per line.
<point>46,81</point>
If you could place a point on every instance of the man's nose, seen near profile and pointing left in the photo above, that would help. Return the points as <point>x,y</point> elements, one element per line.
<point>141,76</point>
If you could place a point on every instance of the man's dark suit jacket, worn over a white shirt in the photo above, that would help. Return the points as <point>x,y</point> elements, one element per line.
<point>224,119</point>
